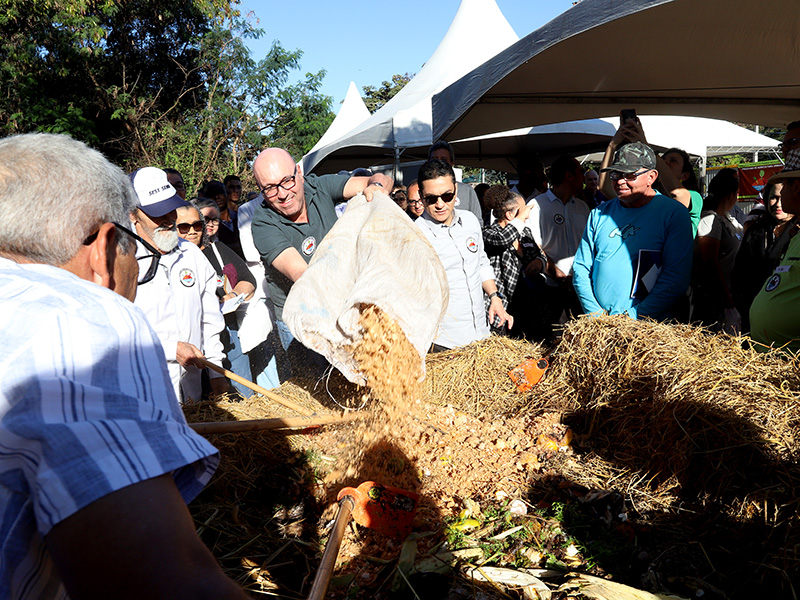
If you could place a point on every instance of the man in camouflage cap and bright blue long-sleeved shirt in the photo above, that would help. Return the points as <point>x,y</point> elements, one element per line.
<point>635,256</point>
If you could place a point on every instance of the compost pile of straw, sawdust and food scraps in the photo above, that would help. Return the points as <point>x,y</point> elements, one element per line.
<point>661,456</point>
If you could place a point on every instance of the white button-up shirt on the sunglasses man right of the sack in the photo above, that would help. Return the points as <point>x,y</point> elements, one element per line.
<point>460,248</point>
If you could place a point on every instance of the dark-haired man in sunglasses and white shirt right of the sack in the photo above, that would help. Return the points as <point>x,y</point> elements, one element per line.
<point>457,238</point>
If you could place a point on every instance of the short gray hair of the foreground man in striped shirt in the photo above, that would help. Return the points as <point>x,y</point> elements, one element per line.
<point>54,193</point>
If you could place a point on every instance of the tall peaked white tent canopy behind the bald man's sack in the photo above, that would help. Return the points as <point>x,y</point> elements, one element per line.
<point>478,32</point>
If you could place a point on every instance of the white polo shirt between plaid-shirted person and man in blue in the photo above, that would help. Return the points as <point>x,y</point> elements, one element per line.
<point>558,228</point>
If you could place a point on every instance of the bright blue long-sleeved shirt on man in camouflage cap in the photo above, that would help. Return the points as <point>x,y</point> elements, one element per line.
<point>606,262</point>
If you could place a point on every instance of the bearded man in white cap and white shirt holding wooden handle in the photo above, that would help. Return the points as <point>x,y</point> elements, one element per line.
<point>180,302</point>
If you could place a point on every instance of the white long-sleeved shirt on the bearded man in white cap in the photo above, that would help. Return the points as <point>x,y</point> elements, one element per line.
<point>182,306</point>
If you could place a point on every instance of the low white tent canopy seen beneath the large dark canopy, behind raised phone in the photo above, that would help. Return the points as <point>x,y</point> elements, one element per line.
<point>698,136</point>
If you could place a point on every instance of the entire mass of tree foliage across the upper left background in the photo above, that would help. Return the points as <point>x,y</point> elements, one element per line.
<point>159,82</point>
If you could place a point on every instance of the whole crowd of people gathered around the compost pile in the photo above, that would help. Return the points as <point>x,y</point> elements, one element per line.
<point>118,293</point>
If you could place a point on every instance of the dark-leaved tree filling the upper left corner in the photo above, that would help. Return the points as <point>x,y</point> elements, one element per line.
<point>88,68</point>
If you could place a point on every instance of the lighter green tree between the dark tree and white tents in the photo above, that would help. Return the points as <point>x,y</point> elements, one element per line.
<point>248,106</point>
